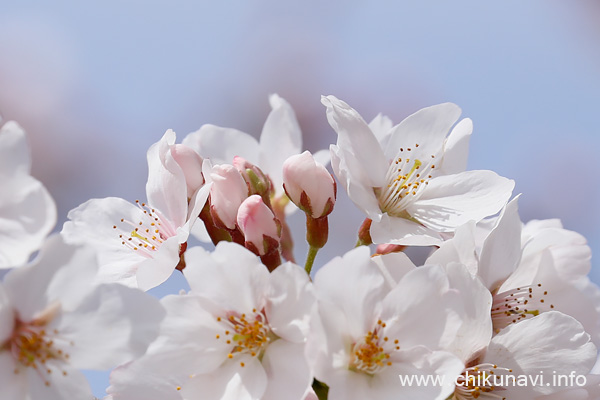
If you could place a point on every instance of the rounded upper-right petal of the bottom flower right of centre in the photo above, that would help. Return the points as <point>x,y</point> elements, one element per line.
<point>425,288</point>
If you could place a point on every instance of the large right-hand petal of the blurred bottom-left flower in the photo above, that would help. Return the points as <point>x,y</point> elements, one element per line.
<point>112,325</point>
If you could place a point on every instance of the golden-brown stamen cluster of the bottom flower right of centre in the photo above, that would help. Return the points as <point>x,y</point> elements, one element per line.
<point>371,354</point>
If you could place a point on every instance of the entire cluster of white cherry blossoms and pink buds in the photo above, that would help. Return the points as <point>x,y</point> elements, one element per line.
<point>495,296</point>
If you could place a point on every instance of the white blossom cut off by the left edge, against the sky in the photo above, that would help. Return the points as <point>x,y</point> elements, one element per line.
<point>27,212</point>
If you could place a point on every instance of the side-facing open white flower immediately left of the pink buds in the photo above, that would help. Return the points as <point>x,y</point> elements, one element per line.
<point>140,245</point>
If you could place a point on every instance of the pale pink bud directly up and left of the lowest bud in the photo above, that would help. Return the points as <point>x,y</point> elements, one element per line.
<point>228,191</point>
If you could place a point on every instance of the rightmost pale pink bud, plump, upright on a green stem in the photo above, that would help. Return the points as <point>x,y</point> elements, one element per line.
<point>309,185</point>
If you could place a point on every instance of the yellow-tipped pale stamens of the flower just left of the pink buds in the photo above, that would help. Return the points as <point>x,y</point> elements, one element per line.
<point>148,234</point>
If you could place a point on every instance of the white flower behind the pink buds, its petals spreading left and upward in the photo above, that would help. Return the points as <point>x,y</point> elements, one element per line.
<point>280,138</point>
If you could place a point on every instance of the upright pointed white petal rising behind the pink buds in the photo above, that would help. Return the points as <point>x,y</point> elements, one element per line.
<point>280,139</point>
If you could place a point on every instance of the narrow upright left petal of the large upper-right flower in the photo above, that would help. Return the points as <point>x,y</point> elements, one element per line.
<point>355,138</point>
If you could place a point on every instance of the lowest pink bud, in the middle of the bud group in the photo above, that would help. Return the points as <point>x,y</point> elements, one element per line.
<point>257,222</point>
